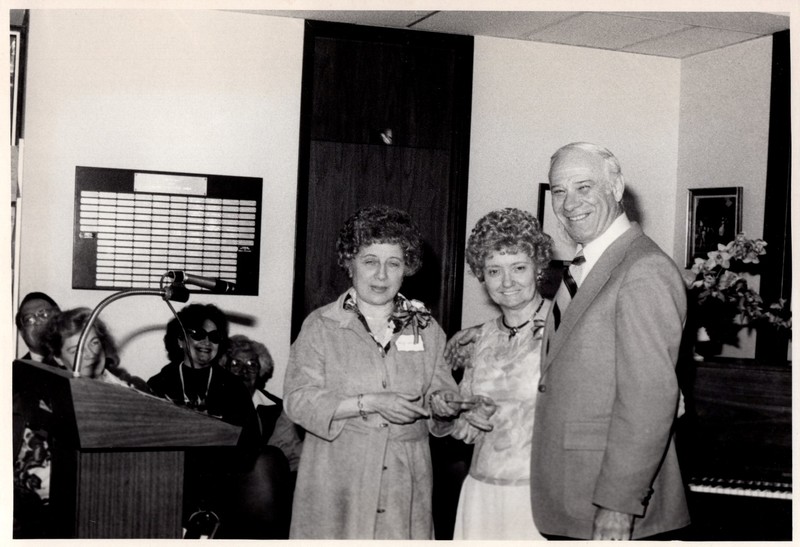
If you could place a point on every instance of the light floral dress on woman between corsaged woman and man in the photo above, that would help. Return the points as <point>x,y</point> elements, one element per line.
<point>495,497</point>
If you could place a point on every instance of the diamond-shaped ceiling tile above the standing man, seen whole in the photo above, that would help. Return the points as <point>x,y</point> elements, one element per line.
<point>605,31</point>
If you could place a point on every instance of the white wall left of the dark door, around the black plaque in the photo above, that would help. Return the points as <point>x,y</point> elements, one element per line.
<point>187,91</point>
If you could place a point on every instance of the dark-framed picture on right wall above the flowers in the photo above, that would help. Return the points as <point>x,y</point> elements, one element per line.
<point>714,217</point>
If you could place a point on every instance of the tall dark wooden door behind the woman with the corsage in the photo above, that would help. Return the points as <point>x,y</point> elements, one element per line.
<point>359,82</point>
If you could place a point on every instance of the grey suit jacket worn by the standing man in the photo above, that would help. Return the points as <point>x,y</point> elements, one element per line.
<point>608,396</point>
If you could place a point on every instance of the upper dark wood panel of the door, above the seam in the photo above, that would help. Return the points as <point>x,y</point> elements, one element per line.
<point>399,85</point>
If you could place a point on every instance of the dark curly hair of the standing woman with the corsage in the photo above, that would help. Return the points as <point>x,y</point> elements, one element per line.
<point>380,224</point>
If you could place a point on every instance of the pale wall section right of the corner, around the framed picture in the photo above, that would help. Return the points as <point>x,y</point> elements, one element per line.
<point>724,135</point>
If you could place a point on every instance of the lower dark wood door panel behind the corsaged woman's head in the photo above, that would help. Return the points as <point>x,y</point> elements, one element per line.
<point>343,175</point>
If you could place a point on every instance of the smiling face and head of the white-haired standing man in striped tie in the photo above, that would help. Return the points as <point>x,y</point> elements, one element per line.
<point>584,200</point>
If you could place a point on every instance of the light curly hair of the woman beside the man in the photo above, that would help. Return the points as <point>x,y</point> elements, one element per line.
<point>508,231</point>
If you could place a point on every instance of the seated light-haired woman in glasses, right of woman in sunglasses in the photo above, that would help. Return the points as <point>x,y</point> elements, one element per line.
<point>251,361</point>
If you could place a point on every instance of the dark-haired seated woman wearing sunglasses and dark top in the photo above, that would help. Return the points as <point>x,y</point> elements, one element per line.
<point>195,341</point>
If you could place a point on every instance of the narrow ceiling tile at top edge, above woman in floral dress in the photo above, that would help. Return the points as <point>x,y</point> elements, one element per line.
<point>499,24</point>
